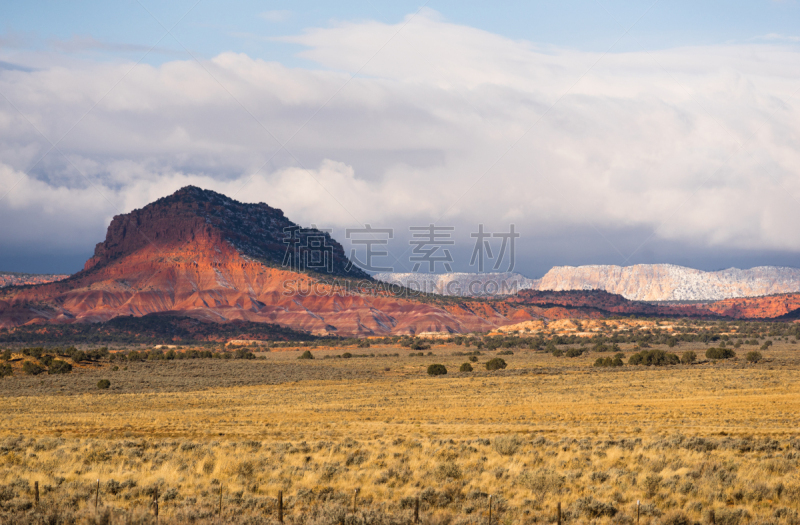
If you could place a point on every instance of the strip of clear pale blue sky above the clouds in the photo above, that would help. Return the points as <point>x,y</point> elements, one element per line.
<point>208,28</point>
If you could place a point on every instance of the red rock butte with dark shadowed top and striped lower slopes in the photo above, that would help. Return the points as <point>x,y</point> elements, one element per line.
<point>203,255</point>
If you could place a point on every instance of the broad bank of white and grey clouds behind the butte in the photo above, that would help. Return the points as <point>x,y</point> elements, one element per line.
<point>699,142</point>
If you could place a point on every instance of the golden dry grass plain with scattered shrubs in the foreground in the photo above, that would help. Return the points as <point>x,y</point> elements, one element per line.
<point>683,440</point>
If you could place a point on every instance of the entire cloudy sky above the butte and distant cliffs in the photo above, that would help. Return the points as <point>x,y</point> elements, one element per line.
<point>605,132</point>
